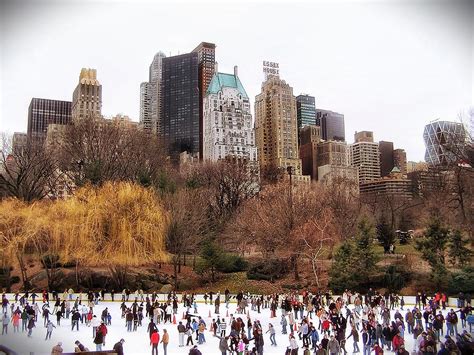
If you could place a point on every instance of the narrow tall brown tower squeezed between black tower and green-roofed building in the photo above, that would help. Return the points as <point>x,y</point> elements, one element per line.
<point>207,59</point>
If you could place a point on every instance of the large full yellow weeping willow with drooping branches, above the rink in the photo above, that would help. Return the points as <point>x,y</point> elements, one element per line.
<point>123,225</point>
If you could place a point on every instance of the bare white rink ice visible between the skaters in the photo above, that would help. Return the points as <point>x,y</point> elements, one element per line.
<point>137,343</point>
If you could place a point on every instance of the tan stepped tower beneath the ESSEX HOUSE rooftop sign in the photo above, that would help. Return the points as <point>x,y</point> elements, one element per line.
<point>276,126</point>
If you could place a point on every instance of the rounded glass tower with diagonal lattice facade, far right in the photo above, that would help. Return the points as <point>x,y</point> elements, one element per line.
<point>444,141</point>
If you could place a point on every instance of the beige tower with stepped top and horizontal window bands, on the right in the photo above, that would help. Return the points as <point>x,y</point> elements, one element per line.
<point>364,154</point>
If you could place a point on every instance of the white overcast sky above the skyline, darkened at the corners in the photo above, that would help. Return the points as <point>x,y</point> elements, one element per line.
<point>389,66</point>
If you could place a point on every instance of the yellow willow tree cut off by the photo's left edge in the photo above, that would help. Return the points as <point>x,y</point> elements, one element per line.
<point>15,235</point>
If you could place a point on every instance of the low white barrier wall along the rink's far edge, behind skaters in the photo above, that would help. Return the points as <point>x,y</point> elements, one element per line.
<point>162,297</point>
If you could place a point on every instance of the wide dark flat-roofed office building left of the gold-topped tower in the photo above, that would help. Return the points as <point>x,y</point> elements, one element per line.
<point>43,112</point>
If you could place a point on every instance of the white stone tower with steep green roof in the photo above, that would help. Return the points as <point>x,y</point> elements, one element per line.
<point>228,126</point>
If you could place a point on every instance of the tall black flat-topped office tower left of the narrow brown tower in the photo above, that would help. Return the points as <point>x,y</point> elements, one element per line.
<point>179,124</point>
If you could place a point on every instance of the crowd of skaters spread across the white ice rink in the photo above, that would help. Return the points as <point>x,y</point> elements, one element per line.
<point>313,323</point>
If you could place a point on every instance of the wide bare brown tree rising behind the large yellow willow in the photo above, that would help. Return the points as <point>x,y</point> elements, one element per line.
<point>94,150</point>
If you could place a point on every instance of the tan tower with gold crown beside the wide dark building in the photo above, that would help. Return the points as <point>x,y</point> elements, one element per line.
<point>87,97</point>
